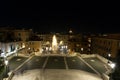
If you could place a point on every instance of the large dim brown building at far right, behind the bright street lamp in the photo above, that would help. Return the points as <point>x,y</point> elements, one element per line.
<point>107,46</point>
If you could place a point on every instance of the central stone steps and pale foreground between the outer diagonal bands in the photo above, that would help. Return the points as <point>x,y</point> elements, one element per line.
<point>55,68</point>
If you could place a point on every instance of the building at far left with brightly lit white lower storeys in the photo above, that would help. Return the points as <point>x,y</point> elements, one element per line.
<point>13,40</point>
